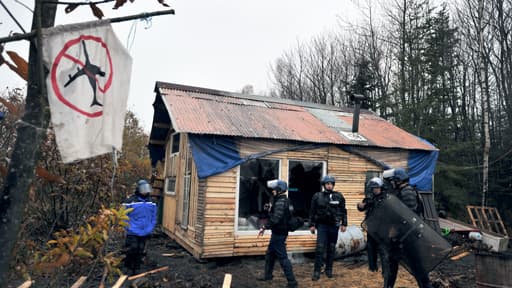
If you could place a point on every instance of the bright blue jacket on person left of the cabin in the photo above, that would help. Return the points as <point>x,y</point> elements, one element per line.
<point>143,217</point>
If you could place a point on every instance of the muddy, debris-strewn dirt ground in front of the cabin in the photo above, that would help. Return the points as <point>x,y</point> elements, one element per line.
<point>351,271</point>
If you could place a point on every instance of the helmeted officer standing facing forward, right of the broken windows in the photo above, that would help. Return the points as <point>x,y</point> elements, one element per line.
<point>327,215</point>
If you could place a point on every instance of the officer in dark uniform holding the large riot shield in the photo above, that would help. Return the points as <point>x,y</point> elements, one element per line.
<point>392,255</point>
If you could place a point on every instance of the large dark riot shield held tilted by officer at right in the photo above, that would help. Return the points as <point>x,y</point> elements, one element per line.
<point>394,225</point>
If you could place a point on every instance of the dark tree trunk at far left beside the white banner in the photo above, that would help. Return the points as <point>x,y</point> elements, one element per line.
<point>30,133</point>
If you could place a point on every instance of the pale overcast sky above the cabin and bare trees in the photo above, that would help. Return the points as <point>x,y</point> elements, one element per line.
<point>217,44</point>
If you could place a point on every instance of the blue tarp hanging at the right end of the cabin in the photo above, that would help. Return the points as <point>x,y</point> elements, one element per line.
<point>422,165</point>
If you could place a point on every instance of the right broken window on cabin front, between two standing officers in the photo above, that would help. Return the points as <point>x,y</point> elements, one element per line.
<point>304,182</point>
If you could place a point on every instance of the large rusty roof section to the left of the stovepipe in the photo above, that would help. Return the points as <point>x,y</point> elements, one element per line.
<point>207,115</point>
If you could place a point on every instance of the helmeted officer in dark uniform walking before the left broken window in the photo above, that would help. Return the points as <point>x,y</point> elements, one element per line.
<point>278,223</point>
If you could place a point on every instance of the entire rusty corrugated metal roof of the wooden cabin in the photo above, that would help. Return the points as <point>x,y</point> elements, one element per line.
<point>204,111</point>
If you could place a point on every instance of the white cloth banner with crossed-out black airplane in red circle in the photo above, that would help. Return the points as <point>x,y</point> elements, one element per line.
<point>88,85</point>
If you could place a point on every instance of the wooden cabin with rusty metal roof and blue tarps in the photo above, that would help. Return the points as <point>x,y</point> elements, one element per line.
<point>219,149</point>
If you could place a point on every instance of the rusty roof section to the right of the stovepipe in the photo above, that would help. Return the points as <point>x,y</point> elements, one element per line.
<point>382,133</point>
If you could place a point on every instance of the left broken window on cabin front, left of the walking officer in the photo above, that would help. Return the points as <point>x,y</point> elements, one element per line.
<point>253,192</point>
